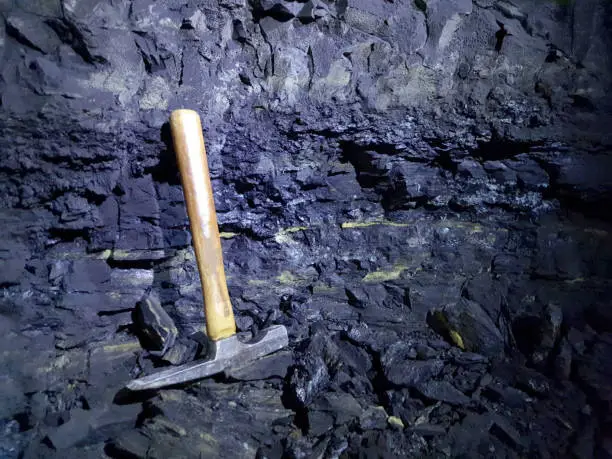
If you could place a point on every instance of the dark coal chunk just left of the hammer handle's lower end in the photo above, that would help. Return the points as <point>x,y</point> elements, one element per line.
<point>154,326</point>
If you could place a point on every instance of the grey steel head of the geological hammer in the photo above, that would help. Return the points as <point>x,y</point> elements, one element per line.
<point>223,354</point>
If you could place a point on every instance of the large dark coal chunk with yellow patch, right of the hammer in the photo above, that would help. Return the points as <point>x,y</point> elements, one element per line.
<point>469,327</point>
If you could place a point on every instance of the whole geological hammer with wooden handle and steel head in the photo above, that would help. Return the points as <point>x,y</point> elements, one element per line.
<point>226,350</point>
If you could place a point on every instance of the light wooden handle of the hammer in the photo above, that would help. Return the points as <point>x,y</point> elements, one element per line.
<point>191,153</point>
